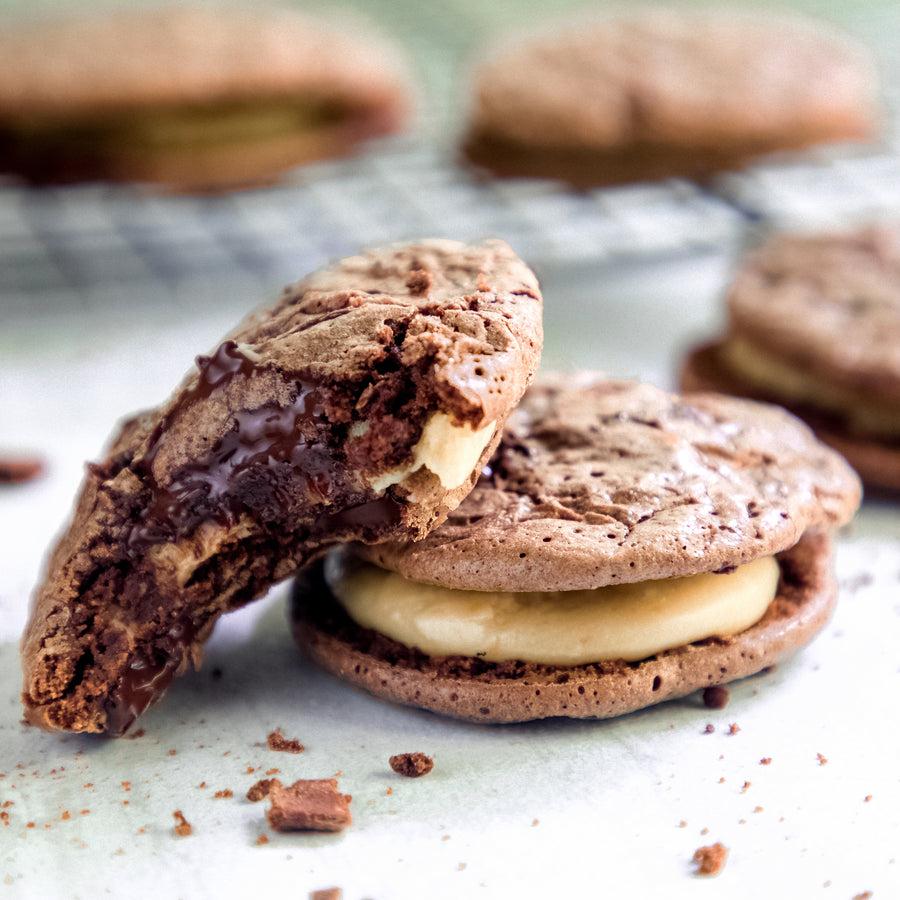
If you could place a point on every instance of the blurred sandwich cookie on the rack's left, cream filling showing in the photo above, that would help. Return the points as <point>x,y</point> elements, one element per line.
<point>193,98</point>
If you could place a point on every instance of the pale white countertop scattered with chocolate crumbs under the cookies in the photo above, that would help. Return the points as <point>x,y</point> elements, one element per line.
<point>558,808</point>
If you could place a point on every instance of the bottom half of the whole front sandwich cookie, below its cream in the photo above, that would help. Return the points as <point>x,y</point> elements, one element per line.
<point>473,689</point>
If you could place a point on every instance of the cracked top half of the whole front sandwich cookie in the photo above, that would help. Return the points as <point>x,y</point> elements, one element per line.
<point>600,482</point>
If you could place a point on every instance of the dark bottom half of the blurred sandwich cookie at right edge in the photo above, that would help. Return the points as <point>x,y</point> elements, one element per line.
<point>876,461</point>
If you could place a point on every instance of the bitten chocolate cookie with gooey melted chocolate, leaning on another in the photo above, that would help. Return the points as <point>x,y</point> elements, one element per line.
<point>362,405</point>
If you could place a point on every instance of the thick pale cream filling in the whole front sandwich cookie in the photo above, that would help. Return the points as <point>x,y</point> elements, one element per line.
<point>565,628</point>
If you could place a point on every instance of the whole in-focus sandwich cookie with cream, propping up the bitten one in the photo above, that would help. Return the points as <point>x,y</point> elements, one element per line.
<point>626,546</point>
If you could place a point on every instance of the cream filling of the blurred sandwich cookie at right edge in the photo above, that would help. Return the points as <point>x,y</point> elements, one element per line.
<point>784,380</point>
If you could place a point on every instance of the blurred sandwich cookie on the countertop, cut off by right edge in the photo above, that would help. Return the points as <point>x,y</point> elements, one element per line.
<point>814,325</point>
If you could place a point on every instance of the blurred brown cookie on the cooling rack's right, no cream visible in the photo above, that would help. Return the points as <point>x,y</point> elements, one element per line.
<point>666,93</point>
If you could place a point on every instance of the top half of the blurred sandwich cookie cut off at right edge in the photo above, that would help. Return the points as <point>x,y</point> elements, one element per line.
<point>828,303</point>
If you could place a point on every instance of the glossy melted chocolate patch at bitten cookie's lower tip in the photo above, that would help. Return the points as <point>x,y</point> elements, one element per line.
<point>147,678</point>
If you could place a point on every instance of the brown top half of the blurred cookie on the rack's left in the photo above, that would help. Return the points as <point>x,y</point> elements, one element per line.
<point>103,63</point>
